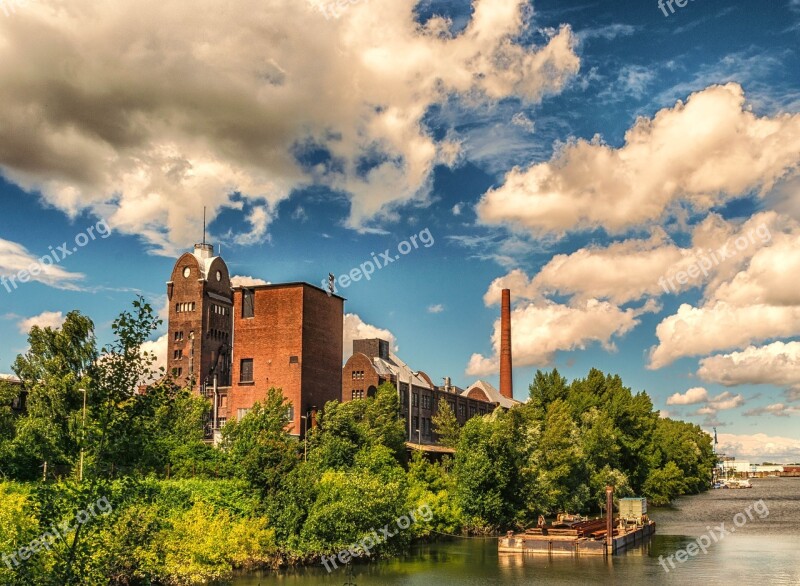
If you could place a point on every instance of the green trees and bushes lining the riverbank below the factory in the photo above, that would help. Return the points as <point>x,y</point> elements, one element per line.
<point>184,512</point>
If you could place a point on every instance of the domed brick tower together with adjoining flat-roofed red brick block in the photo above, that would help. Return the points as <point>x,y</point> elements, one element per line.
<point>232,344</point>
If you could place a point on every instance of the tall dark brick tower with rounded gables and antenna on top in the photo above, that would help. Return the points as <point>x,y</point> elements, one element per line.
<point>200,319</point>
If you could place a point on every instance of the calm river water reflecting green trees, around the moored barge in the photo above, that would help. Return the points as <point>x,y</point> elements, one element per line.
<point>764,551</point>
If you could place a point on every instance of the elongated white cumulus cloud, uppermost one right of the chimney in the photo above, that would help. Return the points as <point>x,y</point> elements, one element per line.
<point>698,154</point>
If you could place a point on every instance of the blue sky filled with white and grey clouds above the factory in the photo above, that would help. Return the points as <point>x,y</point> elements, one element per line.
<point>629,169</point>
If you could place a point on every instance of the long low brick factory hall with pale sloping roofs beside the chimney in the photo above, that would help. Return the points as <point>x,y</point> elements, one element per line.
<point>372,364</point>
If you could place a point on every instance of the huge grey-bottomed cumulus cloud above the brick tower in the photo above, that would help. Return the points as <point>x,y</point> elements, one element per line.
<point>145,111</point>
